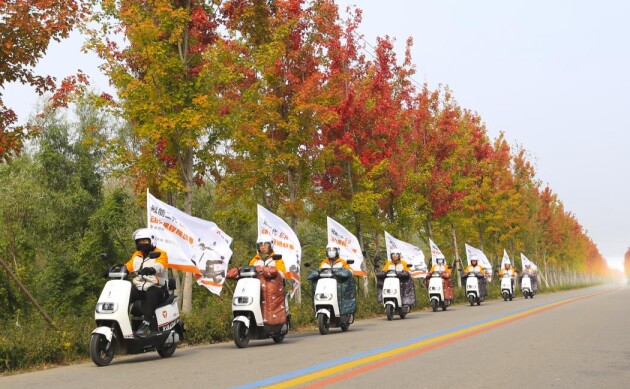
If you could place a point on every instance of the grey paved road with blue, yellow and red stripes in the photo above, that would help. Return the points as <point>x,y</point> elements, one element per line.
<point>574,339</point>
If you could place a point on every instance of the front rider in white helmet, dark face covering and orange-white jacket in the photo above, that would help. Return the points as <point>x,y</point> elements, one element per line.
<point>150,264</point>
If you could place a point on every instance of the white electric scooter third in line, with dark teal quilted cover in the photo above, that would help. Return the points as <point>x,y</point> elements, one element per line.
<point>326,302</point>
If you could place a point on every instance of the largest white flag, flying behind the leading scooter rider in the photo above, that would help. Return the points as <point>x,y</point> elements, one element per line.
<point>193,245</point>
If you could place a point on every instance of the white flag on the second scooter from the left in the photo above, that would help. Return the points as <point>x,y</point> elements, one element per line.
<point>285,243</point>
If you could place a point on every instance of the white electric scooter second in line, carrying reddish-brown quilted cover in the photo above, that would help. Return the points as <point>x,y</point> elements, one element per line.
<point>248,320</point>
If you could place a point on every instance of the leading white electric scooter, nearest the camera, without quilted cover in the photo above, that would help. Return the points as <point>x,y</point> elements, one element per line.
<point>115,329</point>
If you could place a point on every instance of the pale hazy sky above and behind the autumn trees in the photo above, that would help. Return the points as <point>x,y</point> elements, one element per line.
<point>553,75</point>
